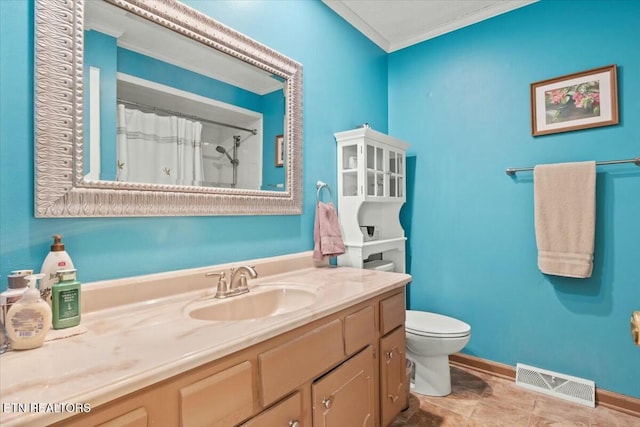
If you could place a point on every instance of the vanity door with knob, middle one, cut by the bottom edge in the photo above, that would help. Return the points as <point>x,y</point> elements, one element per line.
<point>346,396</point>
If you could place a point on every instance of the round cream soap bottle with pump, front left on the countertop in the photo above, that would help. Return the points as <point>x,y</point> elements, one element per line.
<point>29,319</point>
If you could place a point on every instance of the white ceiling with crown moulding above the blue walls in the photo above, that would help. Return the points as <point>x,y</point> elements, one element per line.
<point>396,24</point>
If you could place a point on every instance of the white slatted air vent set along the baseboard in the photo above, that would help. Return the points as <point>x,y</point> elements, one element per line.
<point>566,387</point>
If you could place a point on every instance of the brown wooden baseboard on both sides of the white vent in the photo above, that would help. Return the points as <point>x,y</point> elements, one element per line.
<point>616,401</point>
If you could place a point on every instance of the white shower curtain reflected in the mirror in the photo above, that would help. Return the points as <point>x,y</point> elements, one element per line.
<point>157,149</point>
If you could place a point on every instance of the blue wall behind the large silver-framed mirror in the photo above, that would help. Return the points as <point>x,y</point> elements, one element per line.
<point>345,83</point>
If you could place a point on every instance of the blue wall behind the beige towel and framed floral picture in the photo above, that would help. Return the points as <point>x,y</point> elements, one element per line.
<point>462,100</point>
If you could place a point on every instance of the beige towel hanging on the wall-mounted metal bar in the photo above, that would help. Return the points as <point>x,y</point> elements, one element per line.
<point>565,217</point>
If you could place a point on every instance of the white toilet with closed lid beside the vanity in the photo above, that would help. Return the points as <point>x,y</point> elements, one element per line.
<point>431,338</point>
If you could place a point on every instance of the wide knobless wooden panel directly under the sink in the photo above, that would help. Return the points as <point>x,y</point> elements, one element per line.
<point>301,359</point>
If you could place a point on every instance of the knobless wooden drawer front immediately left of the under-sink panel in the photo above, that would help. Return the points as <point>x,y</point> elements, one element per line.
<point>222,399</point>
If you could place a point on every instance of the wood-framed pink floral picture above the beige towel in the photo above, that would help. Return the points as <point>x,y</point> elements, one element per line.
<point>576,101</point>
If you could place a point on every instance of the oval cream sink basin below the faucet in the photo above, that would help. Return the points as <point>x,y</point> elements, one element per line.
<point>261,301</point>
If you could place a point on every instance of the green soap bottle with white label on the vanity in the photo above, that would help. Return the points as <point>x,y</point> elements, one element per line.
<point>65,300</point>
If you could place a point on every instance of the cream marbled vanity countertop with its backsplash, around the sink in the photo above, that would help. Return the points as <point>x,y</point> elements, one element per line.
<point>131,346</point>
